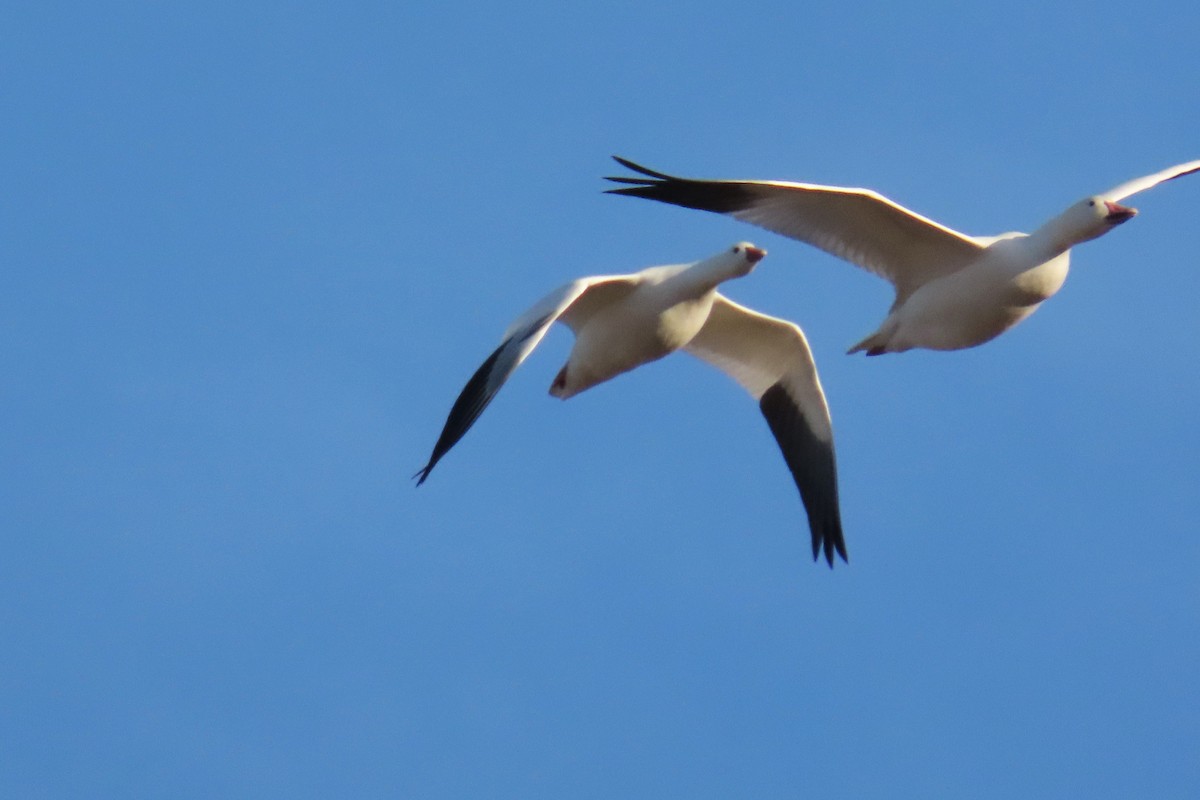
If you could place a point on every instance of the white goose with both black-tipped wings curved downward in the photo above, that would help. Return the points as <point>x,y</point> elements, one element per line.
<point>622,322</point>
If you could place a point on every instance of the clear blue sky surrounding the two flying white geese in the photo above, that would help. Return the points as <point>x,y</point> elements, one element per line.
<point>251,254</point>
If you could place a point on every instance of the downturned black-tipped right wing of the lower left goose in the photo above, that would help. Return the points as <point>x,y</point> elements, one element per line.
<point>771,359</point>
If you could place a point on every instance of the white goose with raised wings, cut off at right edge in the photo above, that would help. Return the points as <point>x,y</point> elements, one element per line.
<point>953,291</point>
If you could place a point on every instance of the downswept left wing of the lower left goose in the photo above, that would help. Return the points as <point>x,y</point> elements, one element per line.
<point>519,342</point>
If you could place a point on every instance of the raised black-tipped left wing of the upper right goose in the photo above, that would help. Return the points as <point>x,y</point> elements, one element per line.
<point>856,225</point>
